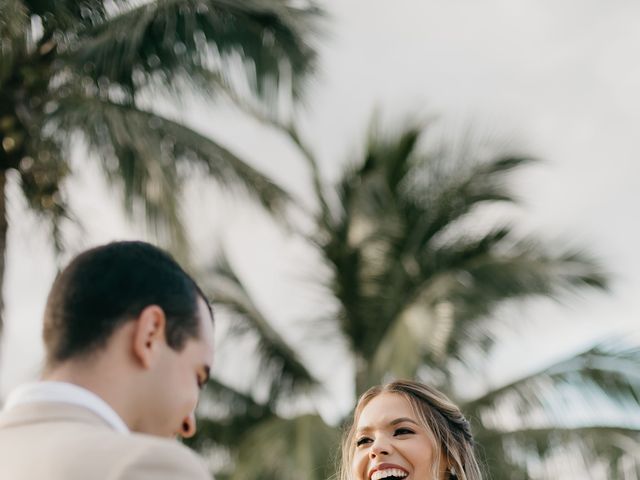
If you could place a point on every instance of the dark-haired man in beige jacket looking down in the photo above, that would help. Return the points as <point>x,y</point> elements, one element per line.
<point>129,342</point>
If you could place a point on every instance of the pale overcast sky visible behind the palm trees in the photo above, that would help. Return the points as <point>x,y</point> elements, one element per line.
<point>557,79</point>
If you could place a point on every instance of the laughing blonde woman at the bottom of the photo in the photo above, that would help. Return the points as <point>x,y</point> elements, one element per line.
<point>407,430</point>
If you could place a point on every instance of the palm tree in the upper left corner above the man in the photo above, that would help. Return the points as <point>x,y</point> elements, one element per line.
<point>84,72</point>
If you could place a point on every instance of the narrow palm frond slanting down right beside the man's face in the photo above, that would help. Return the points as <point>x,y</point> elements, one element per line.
<point>279,363</point>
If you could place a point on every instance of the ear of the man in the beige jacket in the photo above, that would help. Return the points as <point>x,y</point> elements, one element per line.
<point>149,334</point>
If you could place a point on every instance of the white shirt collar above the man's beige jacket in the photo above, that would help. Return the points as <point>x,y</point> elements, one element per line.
<point>62,392</point>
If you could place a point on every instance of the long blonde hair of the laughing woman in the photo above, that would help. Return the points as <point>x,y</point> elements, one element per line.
<point>451,432</point>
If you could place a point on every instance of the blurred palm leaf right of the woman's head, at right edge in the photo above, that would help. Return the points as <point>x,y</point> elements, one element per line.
<point>539,415</point>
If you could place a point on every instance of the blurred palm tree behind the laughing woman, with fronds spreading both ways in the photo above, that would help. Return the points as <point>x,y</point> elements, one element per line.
<point>417,281</point>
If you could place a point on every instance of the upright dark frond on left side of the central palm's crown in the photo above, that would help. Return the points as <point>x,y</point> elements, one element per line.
<point>357,259</point>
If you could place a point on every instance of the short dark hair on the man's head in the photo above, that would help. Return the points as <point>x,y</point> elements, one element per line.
<point>105,287</point>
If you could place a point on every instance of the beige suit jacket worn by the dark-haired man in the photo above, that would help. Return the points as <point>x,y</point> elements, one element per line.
<point>56,441</point>
